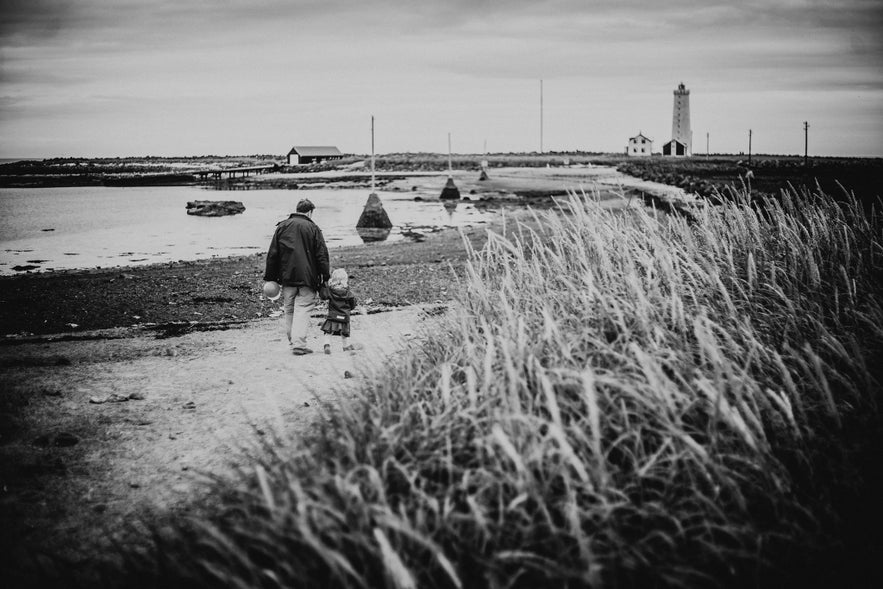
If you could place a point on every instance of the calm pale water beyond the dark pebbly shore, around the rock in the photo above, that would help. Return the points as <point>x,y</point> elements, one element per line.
<point>88,227</point>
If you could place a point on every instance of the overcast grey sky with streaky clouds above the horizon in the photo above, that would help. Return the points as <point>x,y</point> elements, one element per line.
<point>191,77</point>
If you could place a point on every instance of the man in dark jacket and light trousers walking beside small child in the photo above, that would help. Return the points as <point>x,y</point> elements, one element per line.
<point>298,260</point>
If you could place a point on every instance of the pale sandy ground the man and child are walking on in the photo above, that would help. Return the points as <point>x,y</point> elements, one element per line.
<point>75,471</point>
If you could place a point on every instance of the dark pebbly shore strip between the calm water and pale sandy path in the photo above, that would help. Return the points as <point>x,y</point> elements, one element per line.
<point>222,290</point>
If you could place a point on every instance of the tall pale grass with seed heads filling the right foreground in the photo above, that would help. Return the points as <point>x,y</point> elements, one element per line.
<point>621,400</point>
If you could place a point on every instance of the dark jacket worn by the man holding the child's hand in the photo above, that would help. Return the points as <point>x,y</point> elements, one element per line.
<point>298,255</point>
